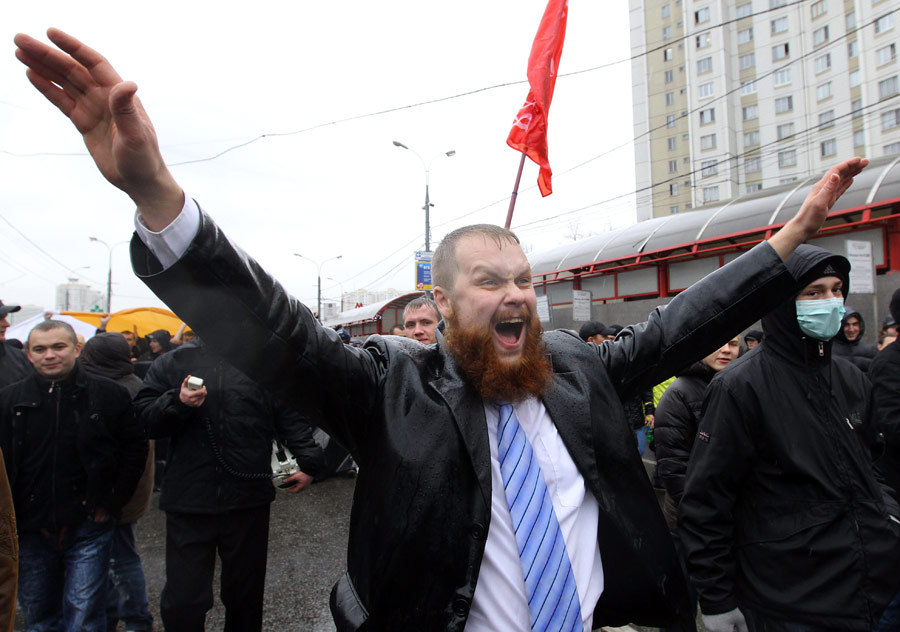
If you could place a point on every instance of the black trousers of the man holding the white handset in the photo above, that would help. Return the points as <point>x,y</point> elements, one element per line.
<point>241,540</point>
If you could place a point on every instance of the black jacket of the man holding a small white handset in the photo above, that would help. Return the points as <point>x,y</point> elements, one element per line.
<point>220,453</point>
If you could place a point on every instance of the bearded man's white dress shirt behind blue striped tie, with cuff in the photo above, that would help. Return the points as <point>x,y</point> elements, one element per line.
<point>499,603</point>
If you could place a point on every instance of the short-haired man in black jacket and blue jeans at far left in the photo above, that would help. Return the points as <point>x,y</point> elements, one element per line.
<point>74,454</point>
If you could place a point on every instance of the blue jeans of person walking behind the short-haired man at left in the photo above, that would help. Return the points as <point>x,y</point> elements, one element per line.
<point>127,595</point>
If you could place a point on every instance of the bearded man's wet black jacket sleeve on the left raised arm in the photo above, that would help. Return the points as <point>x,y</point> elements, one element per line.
<point>268,334</point>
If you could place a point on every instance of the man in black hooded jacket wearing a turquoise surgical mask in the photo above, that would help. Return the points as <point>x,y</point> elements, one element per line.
<point>783,517</point>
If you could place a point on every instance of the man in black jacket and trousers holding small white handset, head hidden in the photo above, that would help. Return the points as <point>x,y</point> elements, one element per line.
<point>218,484</point>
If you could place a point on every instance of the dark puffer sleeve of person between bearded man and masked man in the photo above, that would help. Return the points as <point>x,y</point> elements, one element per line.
<point>673,433</point>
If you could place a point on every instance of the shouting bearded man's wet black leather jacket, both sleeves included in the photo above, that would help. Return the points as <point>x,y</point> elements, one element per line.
<point>421,512</point>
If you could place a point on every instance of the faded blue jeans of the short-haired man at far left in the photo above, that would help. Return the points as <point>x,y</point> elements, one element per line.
<point>62,579</point>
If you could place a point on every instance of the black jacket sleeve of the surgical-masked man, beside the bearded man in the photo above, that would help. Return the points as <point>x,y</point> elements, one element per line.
<point>719,464</point>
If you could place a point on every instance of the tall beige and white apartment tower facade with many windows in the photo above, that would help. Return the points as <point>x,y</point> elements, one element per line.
<point>734,96</point>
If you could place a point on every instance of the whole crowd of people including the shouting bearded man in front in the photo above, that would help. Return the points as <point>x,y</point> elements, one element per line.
<point>500,485</point>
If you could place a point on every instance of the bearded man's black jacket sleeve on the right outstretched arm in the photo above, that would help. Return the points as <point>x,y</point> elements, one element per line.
<point>697,321</point>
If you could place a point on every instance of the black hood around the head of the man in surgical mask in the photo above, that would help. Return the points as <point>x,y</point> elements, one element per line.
<point>782,333</point>
